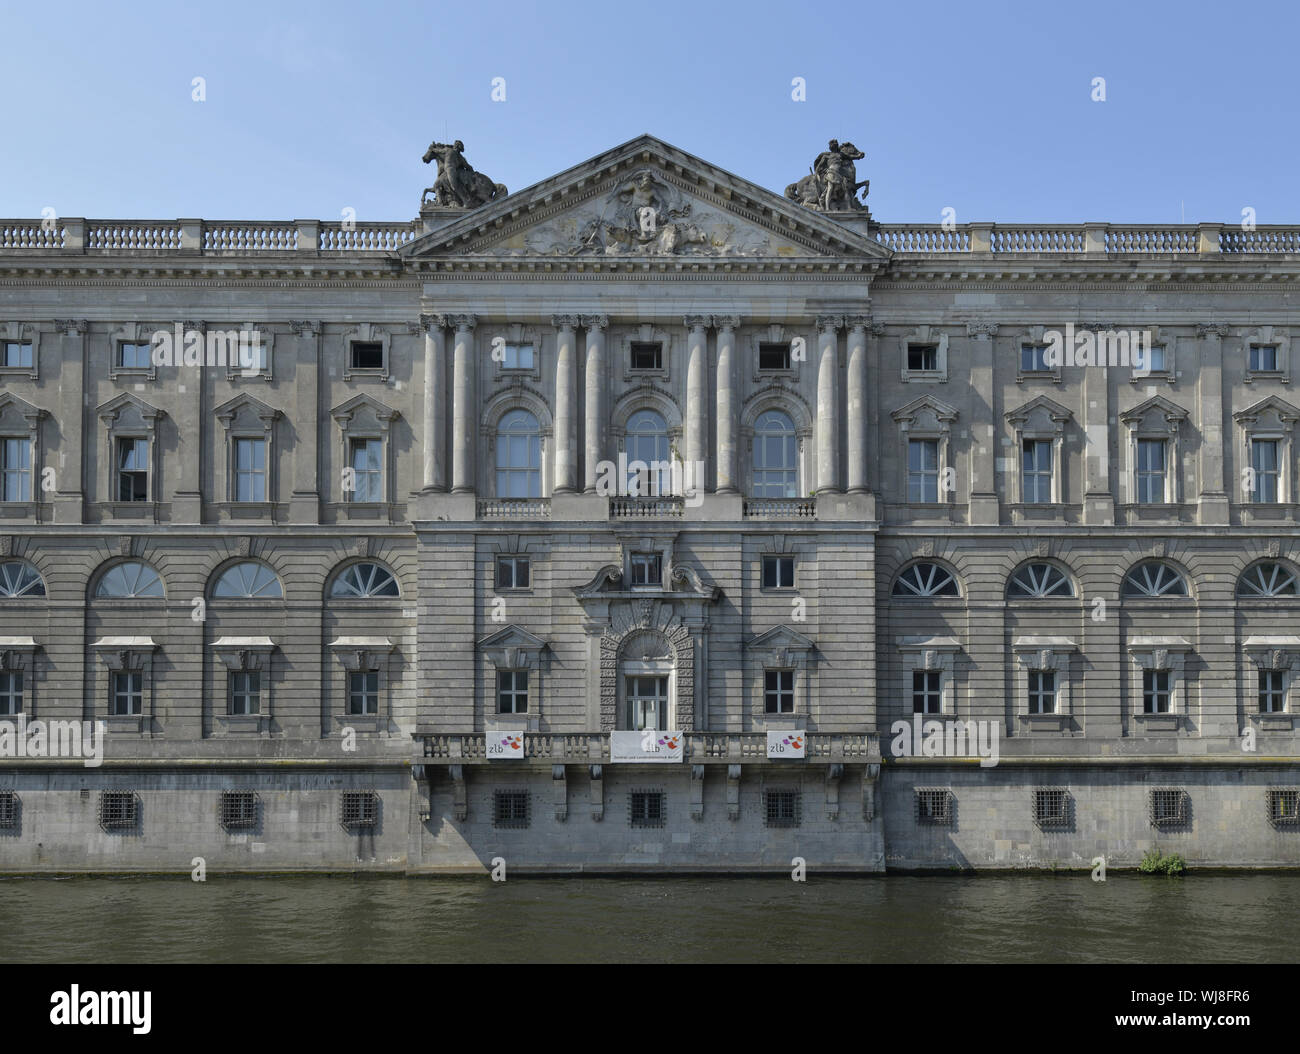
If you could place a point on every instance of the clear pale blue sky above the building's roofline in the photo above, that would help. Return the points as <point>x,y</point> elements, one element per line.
<point>981,107</point>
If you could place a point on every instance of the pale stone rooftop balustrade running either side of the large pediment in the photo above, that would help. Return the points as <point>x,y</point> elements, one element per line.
<point>254,237</point>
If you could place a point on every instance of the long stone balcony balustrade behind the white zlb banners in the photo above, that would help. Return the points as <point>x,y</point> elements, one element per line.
<point>700,748</point>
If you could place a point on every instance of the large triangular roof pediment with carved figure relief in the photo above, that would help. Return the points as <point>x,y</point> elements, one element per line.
<point>647,201</point>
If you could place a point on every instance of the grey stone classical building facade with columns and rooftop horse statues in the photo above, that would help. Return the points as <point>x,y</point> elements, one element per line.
<point>647,519</point>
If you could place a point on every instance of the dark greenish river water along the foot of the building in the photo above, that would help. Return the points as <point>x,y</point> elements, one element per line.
<point>931,919</point>
